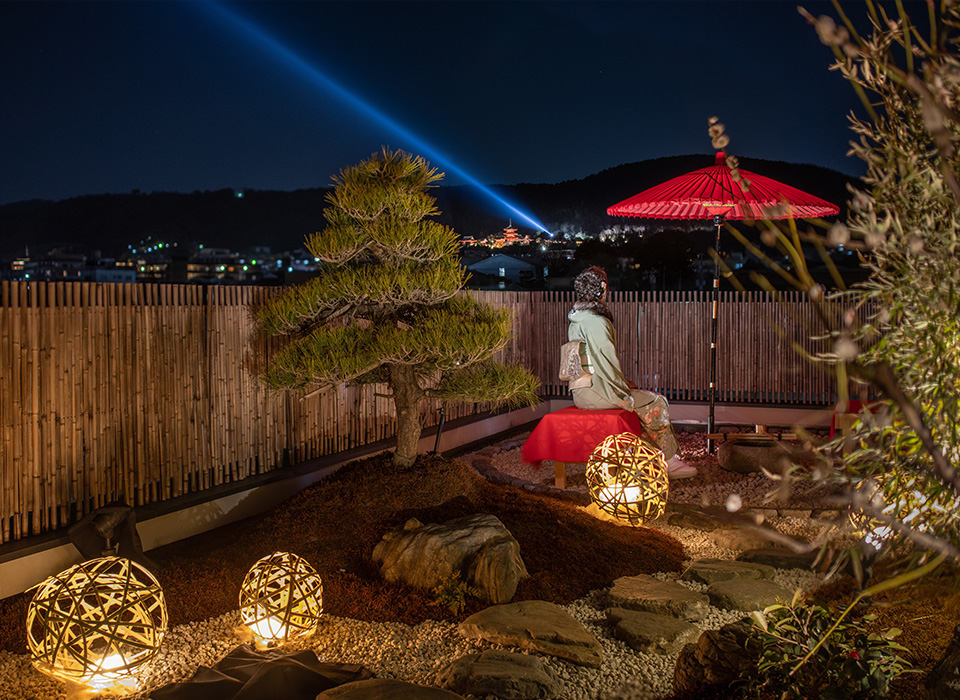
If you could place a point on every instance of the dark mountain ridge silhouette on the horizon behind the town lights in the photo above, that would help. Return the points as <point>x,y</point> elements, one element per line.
<point>281,220</point>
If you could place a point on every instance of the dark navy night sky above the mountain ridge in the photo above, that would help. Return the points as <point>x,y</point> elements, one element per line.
<point>108,97</point>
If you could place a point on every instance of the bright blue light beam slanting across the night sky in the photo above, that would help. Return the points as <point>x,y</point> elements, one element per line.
<point>288,57</point>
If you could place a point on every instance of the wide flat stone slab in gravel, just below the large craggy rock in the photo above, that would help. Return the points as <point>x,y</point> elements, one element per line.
<point>535,625</point>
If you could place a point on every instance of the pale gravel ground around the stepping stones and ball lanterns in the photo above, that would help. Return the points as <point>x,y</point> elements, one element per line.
<point>417,654</point>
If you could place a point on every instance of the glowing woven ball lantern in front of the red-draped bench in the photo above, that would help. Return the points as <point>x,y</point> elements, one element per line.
<point>627,478</point>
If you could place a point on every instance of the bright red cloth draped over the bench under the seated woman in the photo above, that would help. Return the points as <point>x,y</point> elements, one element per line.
<point>572,434</point>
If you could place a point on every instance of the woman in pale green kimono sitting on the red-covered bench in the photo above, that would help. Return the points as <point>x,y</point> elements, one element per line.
<point>591,321</point>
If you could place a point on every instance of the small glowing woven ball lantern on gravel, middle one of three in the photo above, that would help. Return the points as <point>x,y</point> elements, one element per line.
<point>281,598</point>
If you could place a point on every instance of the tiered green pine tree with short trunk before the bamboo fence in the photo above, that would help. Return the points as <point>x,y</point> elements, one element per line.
<point>387,307</point>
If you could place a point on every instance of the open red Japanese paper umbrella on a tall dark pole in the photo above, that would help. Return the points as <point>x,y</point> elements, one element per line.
<point>713,193</point>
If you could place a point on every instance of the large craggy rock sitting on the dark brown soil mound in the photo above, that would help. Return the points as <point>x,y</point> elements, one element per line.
<point>478,547</point>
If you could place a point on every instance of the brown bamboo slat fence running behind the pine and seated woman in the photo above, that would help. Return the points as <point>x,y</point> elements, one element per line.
<point>144,393</point>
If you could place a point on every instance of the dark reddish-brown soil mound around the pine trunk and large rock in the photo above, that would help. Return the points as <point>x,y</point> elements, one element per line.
<point>336,523</point>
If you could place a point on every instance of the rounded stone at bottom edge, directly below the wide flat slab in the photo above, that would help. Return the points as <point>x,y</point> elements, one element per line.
<point>502,674</point>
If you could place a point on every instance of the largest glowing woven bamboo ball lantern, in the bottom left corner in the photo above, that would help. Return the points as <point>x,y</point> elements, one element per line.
<point>97,623</point>
